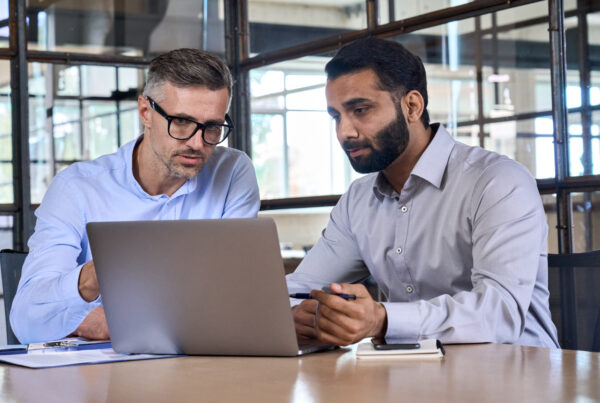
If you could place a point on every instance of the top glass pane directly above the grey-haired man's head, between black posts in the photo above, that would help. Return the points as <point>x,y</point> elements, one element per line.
<point>130,28</point>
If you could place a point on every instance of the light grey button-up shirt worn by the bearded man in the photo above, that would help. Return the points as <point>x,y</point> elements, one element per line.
<point>460,253</point>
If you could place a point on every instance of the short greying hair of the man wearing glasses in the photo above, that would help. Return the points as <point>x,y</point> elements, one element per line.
<point>186,68</point>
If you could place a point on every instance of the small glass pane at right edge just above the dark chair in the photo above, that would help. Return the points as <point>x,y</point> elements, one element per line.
<point>586,221</point>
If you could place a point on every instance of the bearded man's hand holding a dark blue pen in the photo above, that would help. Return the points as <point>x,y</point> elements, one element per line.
<point>342,322</point>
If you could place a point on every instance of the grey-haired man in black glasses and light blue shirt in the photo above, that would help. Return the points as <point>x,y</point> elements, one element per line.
<point>174,170</point>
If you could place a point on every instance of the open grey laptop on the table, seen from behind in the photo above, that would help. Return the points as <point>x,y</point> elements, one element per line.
<point>197,287</point>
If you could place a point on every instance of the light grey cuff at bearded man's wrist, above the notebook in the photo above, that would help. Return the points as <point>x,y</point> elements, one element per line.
<point>403,320</point>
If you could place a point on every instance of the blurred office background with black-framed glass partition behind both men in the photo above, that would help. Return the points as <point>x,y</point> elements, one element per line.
<point>500,76</point>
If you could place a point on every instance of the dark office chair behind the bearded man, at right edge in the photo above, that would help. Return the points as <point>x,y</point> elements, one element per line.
<point>573,280</point>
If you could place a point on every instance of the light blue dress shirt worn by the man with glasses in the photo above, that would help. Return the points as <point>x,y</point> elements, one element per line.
<point>48,305</point>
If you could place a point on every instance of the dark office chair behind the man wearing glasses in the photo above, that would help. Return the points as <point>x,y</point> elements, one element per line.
<point>11,262</point>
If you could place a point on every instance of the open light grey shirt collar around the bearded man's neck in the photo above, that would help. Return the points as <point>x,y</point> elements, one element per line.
<point>431,166</point>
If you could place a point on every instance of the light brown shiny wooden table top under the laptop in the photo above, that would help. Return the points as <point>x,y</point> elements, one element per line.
<point>468,373</point>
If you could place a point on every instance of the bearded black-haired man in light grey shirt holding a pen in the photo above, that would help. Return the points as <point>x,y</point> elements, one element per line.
<point>454,236</point>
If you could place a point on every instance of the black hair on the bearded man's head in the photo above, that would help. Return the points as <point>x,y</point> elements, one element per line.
<point>398,69</point>
